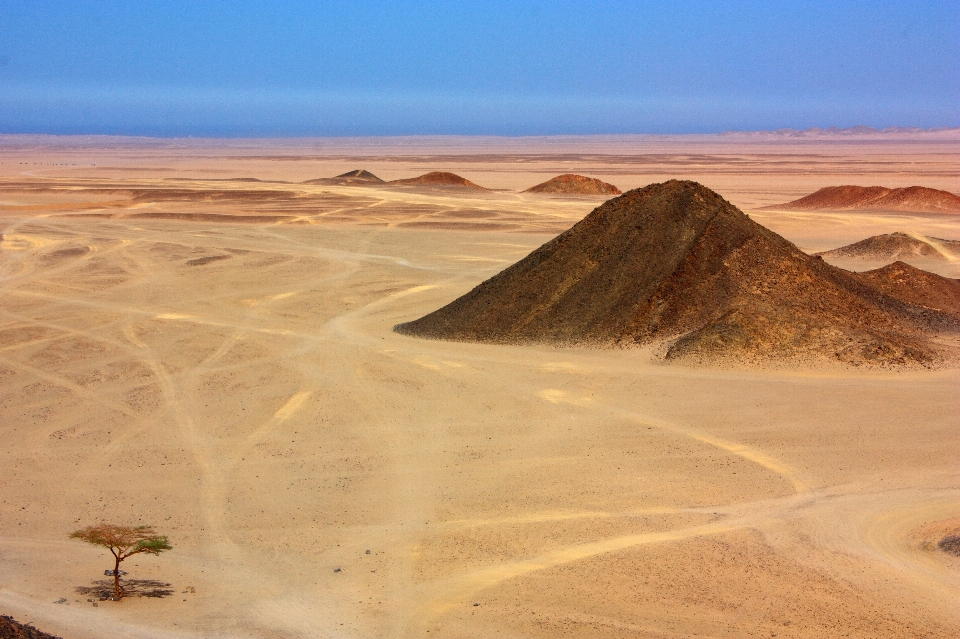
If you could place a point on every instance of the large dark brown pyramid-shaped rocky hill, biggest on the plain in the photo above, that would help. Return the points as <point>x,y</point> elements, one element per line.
<point>676,264</point>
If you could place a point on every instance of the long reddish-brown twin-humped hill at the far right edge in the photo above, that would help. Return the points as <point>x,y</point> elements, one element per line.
<point>919,199</point>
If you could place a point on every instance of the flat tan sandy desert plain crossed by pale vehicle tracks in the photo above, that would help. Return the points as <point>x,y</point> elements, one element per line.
<point>214,356</point>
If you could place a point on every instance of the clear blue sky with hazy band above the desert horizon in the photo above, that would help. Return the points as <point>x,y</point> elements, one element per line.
<point>245,68</point>
